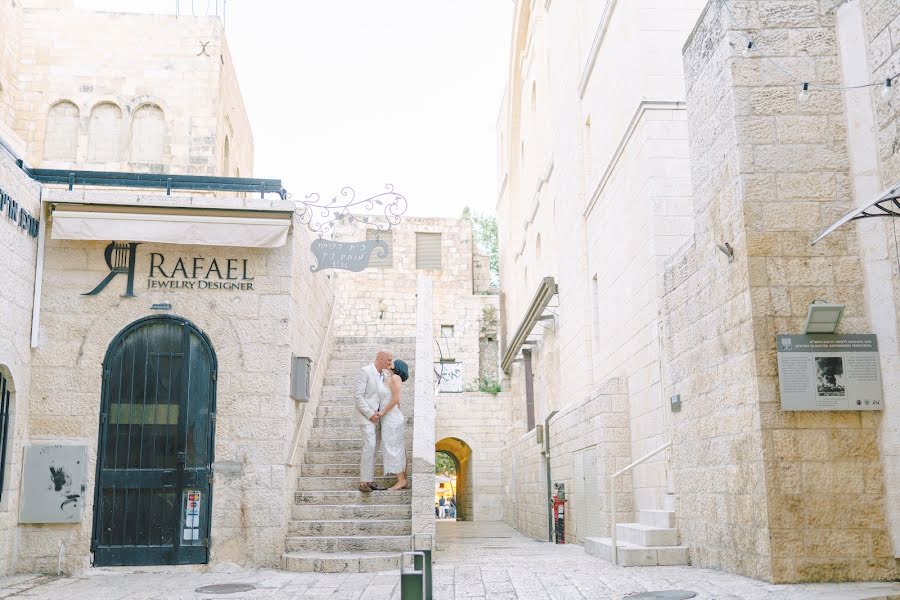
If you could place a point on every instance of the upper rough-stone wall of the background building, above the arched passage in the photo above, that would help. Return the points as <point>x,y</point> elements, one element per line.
<point>359,295</point>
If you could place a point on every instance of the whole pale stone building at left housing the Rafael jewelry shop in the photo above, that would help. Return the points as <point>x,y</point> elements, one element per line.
<point>170,105</point>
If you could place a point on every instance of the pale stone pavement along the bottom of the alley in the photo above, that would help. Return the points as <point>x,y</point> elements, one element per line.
<point>474,561</point>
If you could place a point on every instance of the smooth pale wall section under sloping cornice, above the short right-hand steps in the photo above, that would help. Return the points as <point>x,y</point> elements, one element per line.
<point>647,186</point>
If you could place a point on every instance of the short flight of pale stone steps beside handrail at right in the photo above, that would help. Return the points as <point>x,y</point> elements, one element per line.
<point>652,541</point>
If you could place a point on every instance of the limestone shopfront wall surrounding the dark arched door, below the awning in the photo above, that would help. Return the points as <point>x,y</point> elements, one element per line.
<point>253,334</point>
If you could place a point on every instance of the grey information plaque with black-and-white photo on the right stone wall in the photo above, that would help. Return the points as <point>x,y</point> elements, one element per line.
<point>829,372</point>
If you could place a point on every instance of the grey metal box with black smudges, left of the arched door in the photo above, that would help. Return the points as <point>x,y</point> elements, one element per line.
<point>53,484</point>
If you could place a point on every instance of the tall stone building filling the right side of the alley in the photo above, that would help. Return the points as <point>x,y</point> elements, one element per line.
<point>623,192</point>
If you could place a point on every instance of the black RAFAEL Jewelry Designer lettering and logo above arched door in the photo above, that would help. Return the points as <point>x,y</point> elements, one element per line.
<point>175,272</point>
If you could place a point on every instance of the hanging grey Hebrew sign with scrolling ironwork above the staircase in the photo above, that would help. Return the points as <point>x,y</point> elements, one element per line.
<point>322,217</point>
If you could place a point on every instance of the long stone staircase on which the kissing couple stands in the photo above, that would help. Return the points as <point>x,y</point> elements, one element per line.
<point>335,528</point>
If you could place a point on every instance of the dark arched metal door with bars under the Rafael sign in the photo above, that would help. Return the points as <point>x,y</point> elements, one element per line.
<point>154,459</point>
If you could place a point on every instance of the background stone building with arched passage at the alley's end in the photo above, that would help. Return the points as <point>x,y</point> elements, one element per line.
<point>381,301</point>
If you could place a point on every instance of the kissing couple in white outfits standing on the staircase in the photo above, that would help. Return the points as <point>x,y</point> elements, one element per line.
<point>378,389</point>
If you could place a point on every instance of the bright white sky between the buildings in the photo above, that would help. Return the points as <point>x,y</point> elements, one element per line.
<point>368,92</point>
